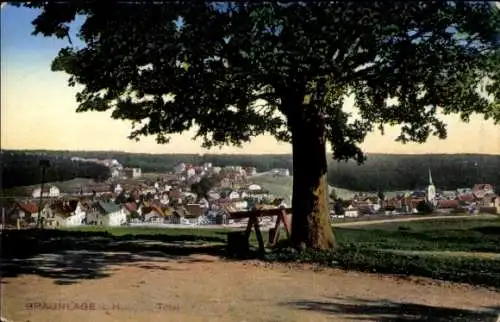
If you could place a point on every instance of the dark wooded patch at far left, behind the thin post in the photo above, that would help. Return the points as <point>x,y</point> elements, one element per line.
<point>21,168</point>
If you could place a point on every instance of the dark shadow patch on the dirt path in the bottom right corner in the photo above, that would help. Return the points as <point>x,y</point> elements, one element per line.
<point>388,311</point>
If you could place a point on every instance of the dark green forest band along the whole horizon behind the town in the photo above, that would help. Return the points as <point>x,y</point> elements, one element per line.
<point>385,172</point>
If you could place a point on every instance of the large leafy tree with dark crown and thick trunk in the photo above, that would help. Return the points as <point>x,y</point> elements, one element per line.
<point>232,71</point>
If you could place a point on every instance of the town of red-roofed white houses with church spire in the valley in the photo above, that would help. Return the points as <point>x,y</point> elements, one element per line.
<point>206,195</point>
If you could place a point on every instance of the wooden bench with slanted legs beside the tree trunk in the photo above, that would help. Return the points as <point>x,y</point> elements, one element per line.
<point>283,217</point>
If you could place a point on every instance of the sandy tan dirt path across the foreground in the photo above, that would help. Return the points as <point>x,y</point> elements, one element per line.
<point>205,288</point>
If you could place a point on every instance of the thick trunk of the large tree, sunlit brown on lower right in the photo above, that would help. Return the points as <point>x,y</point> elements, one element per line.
<point>311,228</point>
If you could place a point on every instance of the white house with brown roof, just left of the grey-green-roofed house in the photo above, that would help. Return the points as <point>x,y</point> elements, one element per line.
<point>66,213</point>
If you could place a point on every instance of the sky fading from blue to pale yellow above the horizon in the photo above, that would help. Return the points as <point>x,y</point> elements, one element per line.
<point>38,110</point>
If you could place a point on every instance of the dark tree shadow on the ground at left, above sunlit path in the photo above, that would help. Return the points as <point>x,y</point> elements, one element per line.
<point>71,256</point>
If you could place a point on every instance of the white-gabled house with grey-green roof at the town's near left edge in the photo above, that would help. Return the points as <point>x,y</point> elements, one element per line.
<point>107,214</point>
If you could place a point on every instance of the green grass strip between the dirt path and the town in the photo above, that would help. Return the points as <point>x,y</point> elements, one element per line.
<point>462,250</point>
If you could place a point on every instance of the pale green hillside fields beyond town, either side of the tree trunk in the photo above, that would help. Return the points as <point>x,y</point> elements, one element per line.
<point>282,186</point>
